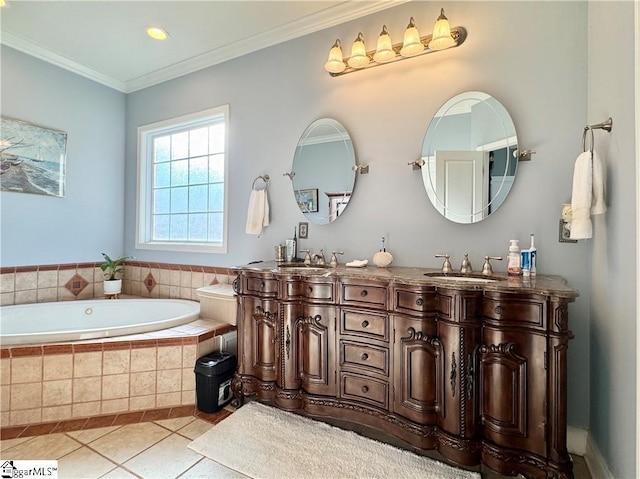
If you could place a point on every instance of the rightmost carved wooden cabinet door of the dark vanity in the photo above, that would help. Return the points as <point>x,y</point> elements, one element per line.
<point>512,378</point>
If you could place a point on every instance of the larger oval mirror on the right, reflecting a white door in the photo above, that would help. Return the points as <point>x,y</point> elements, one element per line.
<point>468,153</point>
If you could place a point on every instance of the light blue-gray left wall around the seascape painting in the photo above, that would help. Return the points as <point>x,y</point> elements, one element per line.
<point>39,229</point>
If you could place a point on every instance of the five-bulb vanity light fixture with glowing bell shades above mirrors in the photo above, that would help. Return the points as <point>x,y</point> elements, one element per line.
<point>413,45</point>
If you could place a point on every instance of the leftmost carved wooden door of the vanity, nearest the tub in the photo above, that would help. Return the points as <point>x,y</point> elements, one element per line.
<point>259,338</point>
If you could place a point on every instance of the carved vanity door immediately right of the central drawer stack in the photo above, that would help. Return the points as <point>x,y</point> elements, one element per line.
<point>418,361</point>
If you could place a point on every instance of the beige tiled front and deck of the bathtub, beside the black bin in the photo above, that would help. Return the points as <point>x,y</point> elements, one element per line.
<point>51,383</point>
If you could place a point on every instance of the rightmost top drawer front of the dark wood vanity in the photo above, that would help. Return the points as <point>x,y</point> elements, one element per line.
<point>520,311</point>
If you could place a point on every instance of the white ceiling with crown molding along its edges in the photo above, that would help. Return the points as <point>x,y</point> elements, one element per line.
<point>106,40</point>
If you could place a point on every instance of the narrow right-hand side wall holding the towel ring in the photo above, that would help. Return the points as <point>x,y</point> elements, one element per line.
<point>612,253</point>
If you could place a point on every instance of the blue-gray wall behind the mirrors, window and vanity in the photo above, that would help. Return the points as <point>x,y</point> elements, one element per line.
<point>276,93</point>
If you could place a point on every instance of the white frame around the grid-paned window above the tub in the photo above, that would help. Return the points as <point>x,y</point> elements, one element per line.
<point>145,182</point>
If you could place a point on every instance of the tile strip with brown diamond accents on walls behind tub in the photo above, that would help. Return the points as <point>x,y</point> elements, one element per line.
<point>67,282</point>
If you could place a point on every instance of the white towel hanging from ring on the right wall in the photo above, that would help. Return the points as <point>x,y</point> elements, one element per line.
<point>587,197</point>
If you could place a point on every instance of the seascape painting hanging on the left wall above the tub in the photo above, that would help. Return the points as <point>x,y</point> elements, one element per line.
<point>33,158</point>
